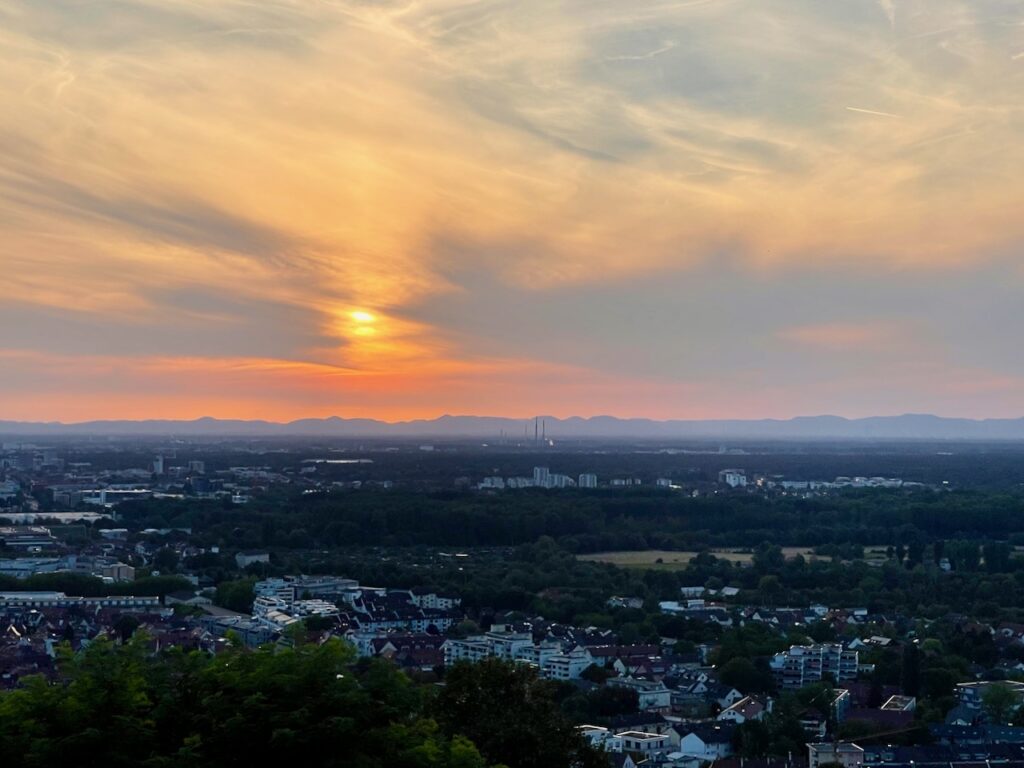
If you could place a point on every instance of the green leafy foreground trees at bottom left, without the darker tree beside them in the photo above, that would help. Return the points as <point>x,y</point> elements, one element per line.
<point>120,706</point>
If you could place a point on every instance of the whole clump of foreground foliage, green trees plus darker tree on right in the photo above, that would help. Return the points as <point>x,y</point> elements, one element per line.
<point>311,704</point>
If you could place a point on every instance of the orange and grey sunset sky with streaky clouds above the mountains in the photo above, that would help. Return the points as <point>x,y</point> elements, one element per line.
<point>400,209</point>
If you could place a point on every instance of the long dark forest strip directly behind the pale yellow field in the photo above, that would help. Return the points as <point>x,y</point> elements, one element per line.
<point>592,522</point>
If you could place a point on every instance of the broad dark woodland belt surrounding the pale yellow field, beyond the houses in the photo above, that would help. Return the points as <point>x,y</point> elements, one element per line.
<point>522,546</point>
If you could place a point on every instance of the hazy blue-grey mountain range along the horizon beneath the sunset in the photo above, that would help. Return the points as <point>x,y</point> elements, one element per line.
<point>908,428</point>
